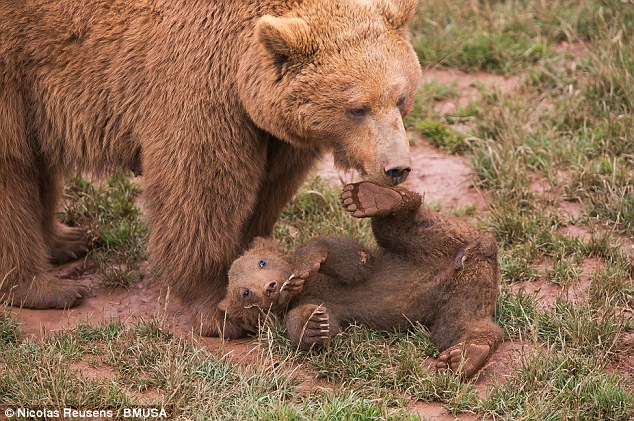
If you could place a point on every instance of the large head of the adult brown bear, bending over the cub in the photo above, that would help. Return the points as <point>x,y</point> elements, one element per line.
<point>339,76</point>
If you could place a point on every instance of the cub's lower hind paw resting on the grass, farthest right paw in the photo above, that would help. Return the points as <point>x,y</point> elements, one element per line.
<point>464,358</point>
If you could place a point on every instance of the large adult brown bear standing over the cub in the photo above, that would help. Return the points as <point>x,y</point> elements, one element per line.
<point>225,105</point>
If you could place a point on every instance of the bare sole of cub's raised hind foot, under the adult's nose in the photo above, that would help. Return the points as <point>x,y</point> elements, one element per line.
<point>366,199</point>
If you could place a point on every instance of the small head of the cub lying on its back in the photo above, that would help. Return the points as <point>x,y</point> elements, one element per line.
<point>255,280</point>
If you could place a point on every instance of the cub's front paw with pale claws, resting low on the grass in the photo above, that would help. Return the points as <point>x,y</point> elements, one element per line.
<point>311,326</point>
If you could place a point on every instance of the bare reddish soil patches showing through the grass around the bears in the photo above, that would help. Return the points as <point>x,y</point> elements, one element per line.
<point>445,180</point>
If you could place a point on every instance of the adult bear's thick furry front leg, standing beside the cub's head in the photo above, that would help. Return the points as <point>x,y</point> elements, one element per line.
<point>198,201</point>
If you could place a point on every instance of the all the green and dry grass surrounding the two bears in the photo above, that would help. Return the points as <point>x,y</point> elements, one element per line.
<point>562,137</point>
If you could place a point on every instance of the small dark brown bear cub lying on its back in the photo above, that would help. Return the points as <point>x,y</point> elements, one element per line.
<point>428,268</point>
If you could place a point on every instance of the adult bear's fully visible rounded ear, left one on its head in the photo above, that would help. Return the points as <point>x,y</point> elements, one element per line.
<point>283,37</point>
